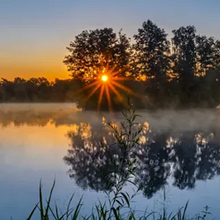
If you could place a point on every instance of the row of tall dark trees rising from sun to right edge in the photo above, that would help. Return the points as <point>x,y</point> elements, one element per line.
<point>182,71</point>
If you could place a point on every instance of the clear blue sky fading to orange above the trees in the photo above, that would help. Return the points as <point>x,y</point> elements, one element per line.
<point>34,34</point>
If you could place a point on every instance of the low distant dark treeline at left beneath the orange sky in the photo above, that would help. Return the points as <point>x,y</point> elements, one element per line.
<point>38,90</point>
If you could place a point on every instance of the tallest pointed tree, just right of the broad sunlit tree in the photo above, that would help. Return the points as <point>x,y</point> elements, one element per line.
<point>151,57</point>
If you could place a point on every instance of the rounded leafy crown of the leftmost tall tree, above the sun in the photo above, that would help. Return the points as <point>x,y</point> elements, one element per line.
<point>92,51</point>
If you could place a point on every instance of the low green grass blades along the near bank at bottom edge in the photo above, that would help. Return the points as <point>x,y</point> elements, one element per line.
<point>47,211</point>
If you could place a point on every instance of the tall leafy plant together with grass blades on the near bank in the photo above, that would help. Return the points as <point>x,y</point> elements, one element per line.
<point>118,203</point>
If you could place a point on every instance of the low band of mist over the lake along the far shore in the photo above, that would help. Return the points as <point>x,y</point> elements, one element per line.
<point>67,114</point>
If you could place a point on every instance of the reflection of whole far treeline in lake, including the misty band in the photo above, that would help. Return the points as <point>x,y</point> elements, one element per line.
<point>183,145</point>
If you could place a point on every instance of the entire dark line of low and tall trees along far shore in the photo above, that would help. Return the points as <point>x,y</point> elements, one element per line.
<point>183,71</point>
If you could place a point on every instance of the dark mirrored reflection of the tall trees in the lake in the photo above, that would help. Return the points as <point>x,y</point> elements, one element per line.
<point>184,156</point>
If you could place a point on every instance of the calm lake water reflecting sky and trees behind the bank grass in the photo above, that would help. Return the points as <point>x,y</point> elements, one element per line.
<point>180,155</point>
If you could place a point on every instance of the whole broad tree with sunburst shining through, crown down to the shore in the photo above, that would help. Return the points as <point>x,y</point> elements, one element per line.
<point>92,54</point>
